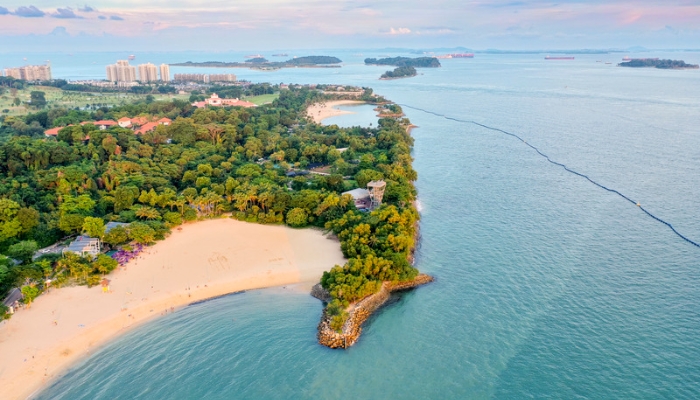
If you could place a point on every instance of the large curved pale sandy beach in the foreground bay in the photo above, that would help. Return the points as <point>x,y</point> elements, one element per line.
<point>203,260</point>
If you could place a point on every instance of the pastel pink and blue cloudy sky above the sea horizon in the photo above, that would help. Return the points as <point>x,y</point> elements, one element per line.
<point>225,25</point>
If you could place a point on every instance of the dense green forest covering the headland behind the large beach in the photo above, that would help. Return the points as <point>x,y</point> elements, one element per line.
<point>207,163</point>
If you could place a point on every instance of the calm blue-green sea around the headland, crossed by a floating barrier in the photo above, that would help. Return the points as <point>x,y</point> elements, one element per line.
<point>547,286</point>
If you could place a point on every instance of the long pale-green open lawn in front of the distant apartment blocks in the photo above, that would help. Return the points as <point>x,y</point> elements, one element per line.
<point>57,98</point>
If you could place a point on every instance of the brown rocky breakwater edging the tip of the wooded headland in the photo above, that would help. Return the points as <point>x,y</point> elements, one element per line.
<point>358,312</point>
